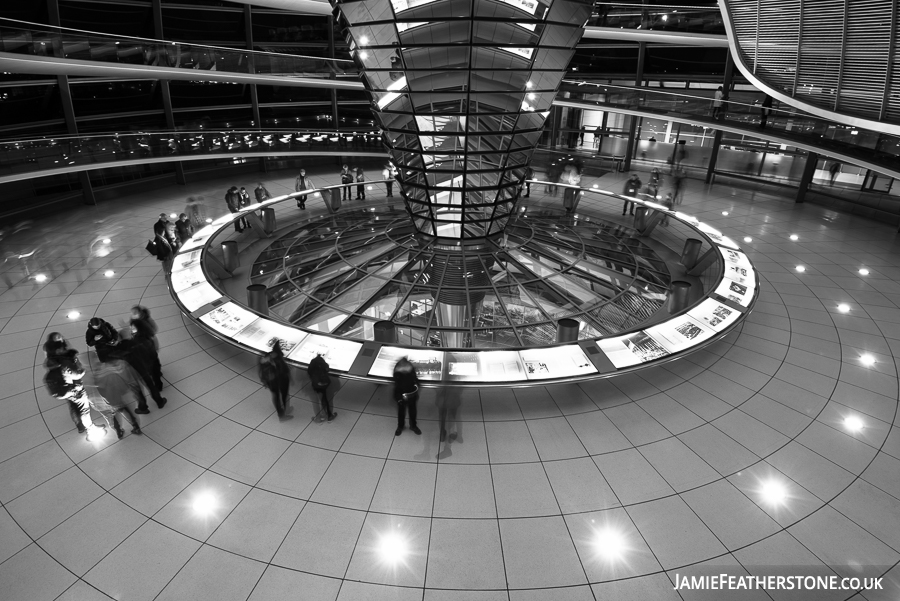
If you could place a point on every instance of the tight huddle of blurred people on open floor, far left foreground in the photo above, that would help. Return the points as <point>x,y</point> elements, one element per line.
<point>127,366</point>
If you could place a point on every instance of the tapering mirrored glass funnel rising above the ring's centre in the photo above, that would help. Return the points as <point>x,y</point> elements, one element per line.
<point>461,90</point>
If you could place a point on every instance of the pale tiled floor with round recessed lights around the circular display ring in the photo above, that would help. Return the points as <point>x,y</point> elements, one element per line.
<point>602,490</point>
